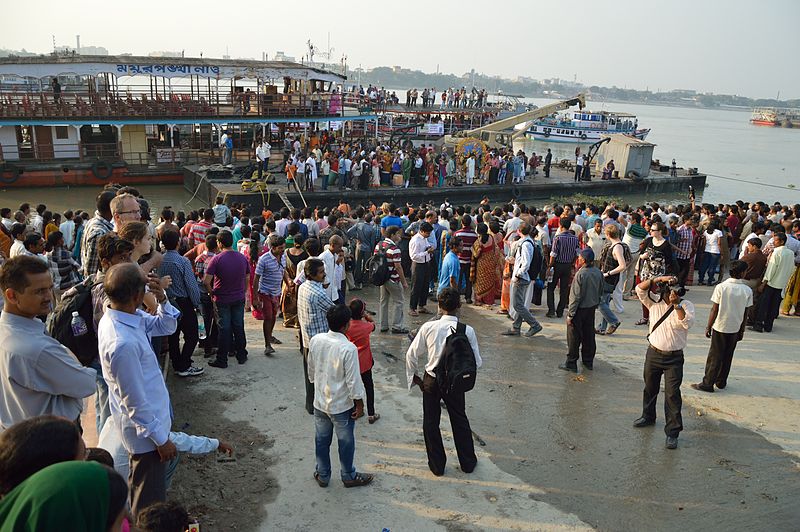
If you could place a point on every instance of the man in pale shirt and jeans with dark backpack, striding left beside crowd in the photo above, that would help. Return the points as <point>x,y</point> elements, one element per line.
<point>527,266</point>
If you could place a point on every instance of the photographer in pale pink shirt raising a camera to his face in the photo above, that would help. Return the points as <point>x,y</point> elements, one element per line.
<point>671,319</point>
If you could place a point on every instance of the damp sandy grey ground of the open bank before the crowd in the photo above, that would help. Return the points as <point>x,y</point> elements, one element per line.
<point>559,451</point>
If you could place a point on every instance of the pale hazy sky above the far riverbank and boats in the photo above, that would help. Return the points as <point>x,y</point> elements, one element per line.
<point>735,47</point>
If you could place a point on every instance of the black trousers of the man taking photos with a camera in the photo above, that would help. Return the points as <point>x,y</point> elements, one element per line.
<point>670,365</point>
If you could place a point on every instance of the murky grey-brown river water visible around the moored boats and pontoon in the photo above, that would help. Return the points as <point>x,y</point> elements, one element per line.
<point>760,162</point>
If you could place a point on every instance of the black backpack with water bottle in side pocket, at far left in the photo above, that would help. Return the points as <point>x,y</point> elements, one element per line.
<point>59,325</point>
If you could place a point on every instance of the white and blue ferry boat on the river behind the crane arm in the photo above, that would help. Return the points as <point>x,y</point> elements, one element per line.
<point>585,127</point>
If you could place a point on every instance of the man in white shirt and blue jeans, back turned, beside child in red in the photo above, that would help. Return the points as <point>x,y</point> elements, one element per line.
<point>334,370</point>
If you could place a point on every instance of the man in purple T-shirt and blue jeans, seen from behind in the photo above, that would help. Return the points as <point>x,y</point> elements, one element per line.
<point>226,279</point>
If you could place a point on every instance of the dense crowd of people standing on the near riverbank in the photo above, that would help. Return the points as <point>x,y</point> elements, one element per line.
<point>117,290</point>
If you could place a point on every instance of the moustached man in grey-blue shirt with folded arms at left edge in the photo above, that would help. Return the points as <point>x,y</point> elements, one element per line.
<point>38,375</point>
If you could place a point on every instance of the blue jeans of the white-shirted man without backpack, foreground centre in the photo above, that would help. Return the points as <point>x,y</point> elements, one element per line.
<point>345,434</point>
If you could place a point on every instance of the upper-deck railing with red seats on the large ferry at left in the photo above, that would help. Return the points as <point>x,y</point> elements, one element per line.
<point>133,104</point>
